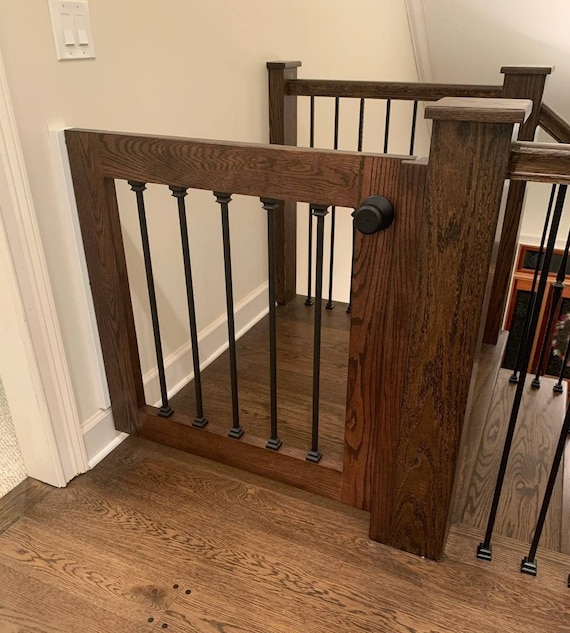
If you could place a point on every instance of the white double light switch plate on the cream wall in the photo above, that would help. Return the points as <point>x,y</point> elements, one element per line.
<point>72,29</point>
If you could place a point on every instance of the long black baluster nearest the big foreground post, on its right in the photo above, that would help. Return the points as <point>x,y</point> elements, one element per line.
<point>484,549</point>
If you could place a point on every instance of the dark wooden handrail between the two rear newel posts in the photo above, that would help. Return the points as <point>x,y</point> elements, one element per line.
<point>387,89</point>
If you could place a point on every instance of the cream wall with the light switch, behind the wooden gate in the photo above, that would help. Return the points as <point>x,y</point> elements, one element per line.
<point>185,68</point>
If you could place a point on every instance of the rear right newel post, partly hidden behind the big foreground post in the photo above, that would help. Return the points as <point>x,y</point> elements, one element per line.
<point>519,83</point>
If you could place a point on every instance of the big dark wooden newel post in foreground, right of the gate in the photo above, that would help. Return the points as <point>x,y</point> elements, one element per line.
<point>467,168</point>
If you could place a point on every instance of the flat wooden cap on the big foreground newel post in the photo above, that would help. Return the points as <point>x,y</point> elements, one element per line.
<point>480,110</point>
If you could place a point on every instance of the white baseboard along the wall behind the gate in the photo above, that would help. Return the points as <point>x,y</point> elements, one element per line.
<point>99,433</point>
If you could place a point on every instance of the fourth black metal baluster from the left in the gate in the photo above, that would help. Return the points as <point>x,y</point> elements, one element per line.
<point>274,443</point>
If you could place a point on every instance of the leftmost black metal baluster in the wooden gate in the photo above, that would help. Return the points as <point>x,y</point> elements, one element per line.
<point>165,410</point>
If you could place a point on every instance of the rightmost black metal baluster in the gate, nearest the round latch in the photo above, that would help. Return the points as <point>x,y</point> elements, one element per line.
<point>320,211</point>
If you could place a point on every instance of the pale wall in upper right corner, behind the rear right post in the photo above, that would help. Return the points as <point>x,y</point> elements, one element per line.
<point>470,41</point>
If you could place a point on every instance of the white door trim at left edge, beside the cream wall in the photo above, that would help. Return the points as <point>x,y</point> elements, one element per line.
<point>34,368</point>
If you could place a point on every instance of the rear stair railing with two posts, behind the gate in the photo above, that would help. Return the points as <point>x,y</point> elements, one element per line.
<point>285,88</point>
